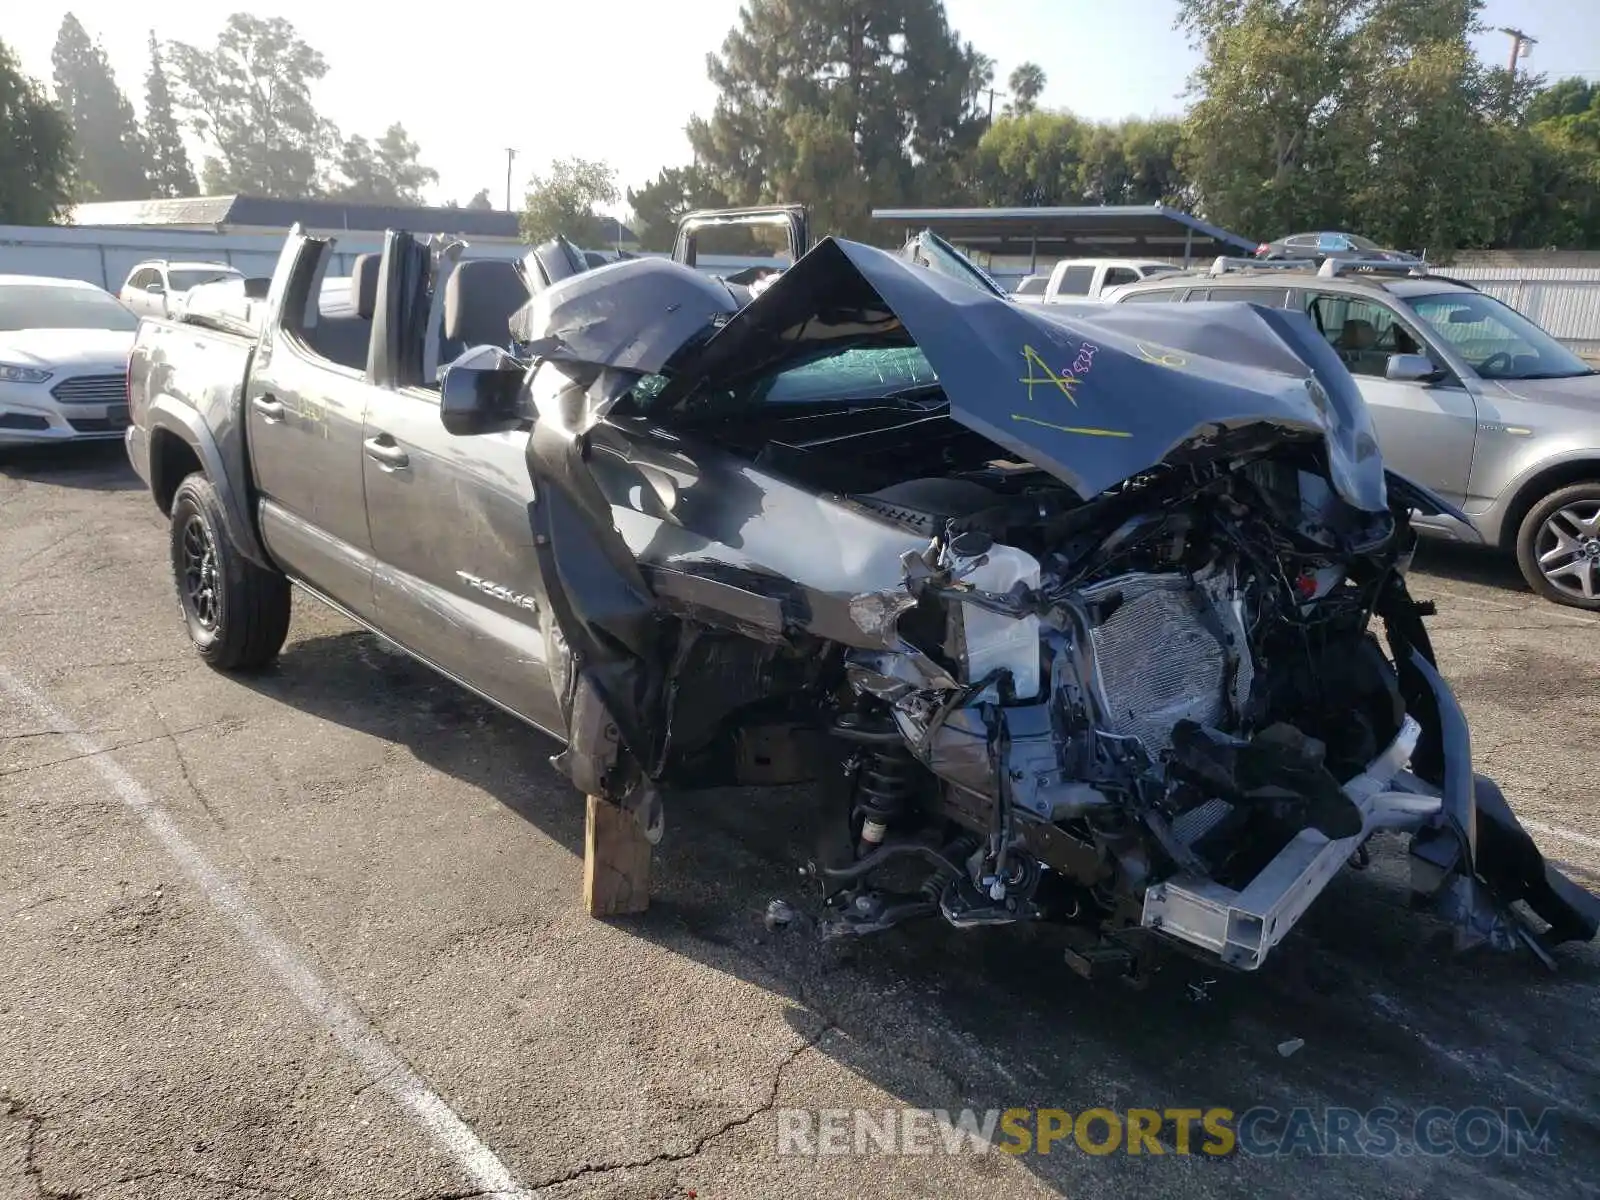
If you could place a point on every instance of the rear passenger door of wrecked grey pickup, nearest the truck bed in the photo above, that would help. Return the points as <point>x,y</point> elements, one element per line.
<point>305,401</point>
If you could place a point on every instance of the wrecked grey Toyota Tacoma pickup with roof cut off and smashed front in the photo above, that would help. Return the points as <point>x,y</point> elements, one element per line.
<point>1071,617</point>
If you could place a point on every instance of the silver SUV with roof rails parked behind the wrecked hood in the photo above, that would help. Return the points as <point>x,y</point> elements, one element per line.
<point>1470,398</point>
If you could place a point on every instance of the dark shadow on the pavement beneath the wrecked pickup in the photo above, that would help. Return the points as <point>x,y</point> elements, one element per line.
<point>994,1020</point>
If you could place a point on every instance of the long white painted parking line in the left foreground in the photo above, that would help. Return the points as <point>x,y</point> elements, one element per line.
<point>359,1039</point>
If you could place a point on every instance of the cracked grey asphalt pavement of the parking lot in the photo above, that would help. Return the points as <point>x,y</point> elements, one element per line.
<point>318,934</point>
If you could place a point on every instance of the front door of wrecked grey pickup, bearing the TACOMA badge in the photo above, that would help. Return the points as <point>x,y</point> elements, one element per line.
<point>455,574</point>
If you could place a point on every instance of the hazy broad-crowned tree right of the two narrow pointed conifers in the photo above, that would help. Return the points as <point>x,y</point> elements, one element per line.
<point>250,100</point>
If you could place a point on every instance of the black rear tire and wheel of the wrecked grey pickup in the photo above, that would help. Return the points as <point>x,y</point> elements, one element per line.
<point>236,612</point>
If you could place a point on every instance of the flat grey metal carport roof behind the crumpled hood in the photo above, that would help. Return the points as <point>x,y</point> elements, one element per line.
<point>1102,231</point>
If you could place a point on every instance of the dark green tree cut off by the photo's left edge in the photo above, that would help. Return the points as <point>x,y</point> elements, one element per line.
<point>36,151</point>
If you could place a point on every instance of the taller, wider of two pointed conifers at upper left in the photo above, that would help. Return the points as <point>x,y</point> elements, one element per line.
<point>105,129</point>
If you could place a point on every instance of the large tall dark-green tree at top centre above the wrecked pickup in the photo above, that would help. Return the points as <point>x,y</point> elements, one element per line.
<point>841,105</point>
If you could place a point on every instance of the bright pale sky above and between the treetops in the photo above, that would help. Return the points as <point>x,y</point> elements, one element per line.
<point>618,81</point>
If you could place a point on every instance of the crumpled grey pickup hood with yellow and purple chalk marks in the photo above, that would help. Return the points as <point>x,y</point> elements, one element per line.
<point>1092,398</point>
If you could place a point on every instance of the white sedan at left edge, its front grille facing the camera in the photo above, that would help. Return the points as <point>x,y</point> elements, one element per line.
<point>63,361</point>
